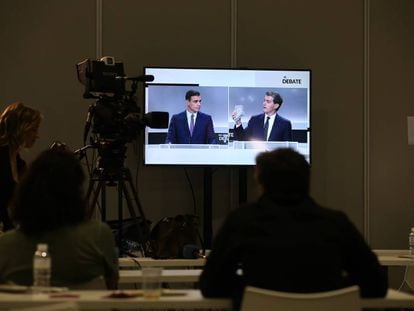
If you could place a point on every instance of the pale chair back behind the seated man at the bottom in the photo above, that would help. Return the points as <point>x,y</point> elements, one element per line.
<point>345,299</point>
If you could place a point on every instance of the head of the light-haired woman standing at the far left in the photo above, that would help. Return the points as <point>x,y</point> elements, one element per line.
<point>15,122</point>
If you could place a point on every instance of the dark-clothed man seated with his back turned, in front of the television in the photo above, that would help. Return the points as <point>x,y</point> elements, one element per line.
<point>285,241</point>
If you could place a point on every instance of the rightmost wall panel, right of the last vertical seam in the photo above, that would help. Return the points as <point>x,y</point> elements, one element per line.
<point>391,159</point>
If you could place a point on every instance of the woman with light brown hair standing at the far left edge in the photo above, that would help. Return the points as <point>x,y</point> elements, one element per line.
<point>19,126</point>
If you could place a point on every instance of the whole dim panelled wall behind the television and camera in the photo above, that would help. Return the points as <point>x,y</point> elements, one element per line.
<point>360,53</point>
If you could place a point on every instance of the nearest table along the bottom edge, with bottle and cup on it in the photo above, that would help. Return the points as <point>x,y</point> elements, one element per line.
<point>184,299</point>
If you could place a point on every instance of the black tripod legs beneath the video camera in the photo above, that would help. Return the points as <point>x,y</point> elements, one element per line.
<point>121,178</point>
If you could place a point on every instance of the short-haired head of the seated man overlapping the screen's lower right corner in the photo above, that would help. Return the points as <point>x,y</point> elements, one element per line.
<point>283,174</point>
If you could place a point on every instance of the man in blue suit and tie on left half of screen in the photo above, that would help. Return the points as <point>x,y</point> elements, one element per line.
<point>191,126</point>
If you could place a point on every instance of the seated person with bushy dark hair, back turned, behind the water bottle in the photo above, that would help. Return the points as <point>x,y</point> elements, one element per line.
<point>49,207</point>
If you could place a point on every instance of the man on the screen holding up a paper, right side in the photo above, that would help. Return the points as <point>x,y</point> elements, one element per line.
<point>267,126</point>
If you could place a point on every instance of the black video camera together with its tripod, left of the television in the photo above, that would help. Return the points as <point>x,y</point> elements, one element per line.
<point>115,119</point>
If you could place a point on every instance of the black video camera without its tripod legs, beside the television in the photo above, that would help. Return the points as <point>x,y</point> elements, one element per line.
<point>115,115</point>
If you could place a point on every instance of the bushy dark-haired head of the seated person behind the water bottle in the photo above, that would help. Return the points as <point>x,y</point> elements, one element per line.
<point>51,193</point>
